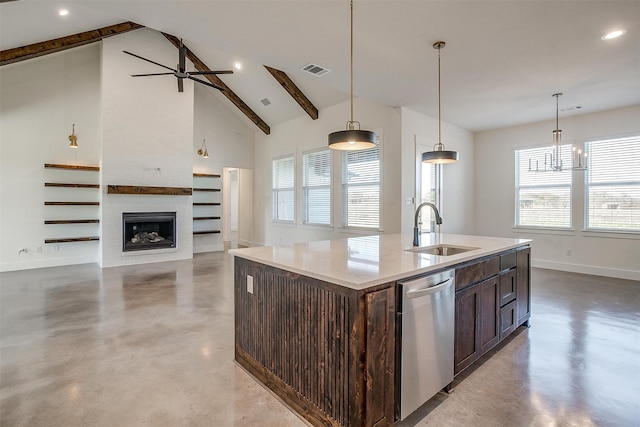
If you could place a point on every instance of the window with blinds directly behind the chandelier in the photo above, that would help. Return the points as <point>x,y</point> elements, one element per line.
<point>543,199</point>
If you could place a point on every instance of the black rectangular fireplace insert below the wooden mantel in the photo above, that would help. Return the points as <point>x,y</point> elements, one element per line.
<point>148,230</point>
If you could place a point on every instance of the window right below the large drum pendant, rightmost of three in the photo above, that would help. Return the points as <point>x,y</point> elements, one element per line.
<point>361,188</point>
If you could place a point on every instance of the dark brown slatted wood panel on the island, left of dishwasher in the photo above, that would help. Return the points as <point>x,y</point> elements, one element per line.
<point>321,347</point>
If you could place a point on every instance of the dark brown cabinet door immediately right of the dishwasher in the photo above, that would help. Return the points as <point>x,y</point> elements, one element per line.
<point>466,336</point>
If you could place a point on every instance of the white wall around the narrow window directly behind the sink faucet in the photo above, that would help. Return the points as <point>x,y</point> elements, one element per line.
<point>457,208</point>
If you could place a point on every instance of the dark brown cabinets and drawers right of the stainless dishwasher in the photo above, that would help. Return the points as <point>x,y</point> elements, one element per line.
<point>492,300</point>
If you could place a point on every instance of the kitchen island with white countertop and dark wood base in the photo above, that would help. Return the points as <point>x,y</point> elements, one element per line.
<point>316,322</point>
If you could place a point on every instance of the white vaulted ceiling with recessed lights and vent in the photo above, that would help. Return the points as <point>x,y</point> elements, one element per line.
<point>502,62</point>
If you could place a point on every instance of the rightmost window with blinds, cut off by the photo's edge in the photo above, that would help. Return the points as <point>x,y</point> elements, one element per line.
<point>613,185</point>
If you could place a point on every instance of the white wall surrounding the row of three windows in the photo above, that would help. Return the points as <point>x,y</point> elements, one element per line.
<point>303,134</point>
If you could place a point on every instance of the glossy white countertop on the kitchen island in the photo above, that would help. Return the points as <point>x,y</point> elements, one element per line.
<point>363,262</point>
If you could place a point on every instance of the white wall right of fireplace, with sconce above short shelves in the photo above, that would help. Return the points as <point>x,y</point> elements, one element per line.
<point>230,144</point>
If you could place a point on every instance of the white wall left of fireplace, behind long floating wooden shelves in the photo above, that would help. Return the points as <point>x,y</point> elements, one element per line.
<point>39,101</point>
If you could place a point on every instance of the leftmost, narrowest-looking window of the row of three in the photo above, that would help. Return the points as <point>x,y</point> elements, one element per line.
<point>283,179</point>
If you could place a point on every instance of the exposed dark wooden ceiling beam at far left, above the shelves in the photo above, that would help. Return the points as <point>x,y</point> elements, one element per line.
<point>35,50</point>
